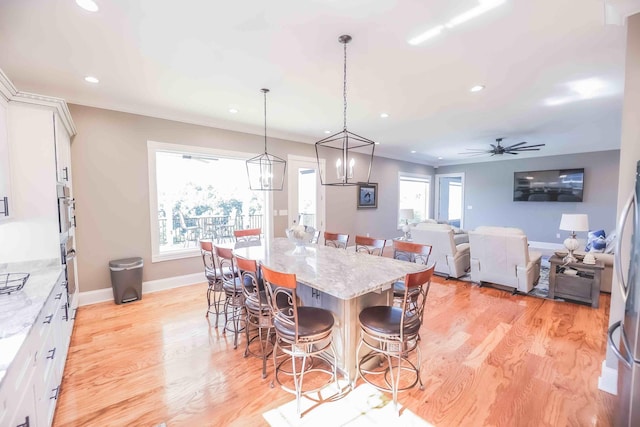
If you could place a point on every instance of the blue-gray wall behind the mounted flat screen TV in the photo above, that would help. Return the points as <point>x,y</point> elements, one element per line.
<point>489,191</point>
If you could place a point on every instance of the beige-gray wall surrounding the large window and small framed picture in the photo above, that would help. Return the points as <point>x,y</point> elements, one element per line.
<point>110,181</point>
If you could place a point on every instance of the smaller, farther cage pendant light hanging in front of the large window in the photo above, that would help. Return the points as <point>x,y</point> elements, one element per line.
<point>266,171</point>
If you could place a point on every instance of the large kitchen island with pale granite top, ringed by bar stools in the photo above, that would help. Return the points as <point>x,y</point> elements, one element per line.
<point>342,281</point>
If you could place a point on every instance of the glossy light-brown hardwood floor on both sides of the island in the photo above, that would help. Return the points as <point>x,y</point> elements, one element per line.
<point>489,358</point>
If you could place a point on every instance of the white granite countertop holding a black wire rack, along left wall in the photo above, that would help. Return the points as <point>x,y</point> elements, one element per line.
<point>19,310</point>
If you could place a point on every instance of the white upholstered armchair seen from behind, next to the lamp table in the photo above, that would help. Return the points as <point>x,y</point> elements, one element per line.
<point>501,255</point>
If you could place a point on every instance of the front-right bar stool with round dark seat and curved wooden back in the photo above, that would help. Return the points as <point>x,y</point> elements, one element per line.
<point>392,335</point>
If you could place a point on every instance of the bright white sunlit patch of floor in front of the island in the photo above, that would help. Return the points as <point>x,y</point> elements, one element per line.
<point>364,406</point>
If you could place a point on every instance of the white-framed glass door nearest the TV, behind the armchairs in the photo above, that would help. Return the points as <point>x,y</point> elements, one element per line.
<point>450,199</point>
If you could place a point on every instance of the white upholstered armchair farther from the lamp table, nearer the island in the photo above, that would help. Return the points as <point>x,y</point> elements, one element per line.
<point>451,260</point>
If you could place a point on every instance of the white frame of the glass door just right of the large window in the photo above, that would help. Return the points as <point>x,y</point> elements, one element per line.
<point>293,162</point>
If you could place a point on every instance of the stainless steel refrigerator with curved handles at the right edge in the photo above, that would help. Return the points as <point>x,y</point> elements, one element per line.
<point>628,350</point>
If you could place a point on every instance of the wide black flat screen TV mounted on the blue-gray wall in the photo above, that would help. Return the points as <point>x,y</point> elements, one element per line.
<point>559,185</point>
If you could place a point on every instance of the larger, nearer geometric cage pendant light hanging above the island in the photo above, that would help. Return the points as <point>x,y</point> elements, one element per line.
<point>349,156</point>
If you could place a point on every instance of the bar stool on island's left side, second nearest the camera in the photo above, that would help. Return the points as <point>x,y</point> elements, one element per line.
<point>258,310</point>
